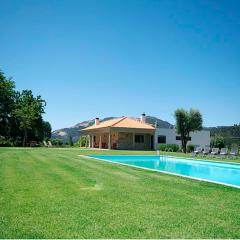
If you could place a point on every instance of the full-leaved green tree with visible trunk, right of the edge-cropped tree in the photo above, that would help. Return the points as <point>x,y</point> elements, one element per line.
<point>28,109</point>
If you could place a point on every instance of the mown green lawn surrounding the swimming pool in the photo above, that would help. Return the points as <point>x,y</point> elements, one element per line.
<point>54,193</point>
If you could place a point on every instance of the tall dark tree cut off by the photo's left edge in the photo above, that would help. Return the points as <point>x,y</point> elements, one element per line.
<point>7,96</point>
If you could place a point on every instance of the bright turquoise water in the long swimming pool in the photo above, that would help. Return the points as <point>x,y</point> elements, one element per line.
<point>219,172</point>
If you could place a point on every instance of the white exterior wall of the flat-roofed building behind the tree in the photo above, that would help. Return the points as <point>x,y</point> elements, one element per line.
<point>200,138</point>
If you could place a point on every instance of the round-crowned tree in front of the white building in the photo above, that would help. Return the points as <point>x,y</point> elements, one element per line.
<point>186,122</point>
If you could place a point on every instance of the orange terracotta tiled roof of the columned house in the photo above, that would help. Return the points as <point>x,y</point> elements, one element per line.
<point>123,122</point>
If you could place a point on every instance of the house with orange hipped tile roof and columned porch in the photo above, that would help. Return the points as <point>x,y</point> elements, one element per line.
<point>120,133</point>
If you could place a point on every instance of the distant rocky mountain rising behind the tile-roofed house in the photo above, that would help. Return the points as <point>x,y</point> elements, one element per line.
<point>74,131</point>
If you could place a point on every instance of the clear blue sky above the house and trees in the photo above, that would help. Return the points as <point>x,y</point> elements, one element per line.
<point>113,58</point>
